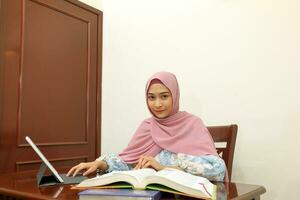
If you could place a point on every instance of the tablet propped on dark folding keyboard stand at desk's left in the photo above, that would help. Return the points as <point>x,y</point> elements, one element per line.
<point>55,178</point>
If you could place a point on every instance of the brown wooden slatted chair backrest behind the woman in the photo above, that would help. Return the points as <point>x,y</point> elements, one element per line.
<point>225,134</point>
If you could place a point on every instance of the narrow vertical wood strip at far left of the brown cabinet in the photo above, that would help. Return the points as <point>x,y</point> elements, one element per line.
<point>10,32</point>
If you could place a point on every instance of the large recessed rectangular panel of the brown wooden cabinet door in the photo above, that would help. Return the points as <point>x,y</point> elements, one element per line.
<point>62,74</point>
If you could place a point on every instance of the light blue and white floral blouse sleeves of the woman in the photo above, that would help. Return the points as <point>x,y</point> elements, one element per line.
<point>209,166</point>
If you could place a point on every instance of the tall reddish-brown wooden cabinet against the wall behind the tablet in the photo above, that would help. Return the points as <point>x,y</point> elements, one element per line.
<point>50,82</point>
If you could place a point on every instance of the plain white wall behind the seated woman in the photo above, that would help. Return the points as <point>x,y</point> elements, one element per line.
<point>237,61</point>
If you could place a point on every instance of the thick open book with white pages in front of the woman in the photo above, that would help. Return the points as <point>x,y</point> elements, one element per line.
<point>167,180</point>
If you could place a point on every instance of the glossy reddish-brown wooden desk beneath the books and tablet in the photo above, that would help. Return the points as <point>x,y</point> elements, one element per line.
<point>22,185</point>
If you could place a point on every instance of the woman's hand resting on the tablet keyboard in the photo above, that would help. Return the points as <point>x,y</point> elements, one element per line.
<point>89,167</point>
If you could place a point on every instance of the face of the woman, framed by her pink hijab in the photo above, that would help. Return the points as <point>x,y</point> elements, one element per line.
<point>159,99</point>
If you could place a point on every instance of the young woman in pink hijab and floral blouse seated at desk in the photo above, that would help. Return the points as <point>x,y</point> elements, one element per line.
<point>170,138</point>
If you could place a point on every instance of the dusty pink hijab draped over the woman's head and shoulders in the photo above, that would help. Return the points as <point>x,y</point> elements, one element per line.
<point>181,132</point>
